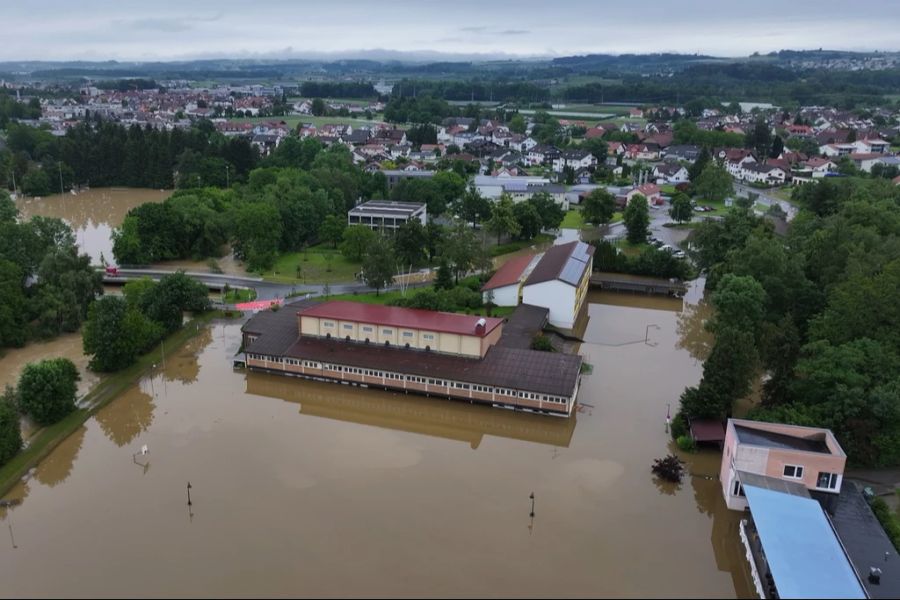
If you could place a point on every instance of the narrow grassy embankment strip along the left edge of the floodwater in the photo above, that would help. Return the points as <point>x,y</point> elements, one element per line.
<point>109,388</point>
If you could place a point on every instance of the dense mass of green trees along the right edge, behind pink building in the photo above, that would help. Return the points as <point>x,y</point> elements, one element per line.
<point>814,311</point>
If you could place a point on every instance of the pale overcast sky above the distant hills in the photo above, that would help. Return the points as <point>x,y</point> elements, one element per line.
<point>169,29</point>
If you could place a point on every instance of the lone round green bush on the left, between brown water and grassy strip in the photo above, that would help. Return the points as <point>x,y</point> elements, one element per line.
<point>47,390</point>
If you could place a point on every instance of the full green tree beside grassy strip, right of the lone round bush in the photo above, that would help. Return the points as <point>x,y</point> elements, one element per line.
<point>115,334</point>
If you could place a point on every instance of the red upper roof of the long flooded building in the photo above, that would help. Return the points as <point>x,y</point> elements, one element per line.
<point>395,316</point>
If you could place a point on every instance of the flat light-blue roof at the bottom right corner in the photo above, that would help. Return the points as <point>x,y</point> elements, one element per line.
<point>803,552</point>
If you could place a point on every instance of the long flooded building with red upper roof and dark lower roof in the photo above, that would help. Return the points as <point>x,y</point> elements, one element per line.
<point>456,356</point>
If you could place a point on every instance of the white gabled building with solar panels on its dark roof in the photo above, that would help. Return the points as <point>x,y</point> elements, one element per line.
<point>559,282</point>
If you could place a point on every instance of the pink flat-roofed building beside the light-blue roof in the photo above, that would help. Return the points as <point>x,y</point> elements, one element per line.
<point>809,456</point>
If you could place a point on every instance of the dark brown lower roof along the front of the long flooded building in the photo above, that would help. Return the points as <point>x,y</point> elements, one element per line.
<point>530,370</point>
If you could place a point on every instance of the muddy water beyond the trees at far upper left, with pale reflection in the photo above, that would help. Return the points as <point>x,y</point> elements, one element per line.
<point>92,214</point>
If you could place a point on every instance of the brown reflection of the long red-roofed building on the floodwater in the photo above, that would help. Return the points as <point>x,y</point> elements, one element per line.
<point>412,413</point>
